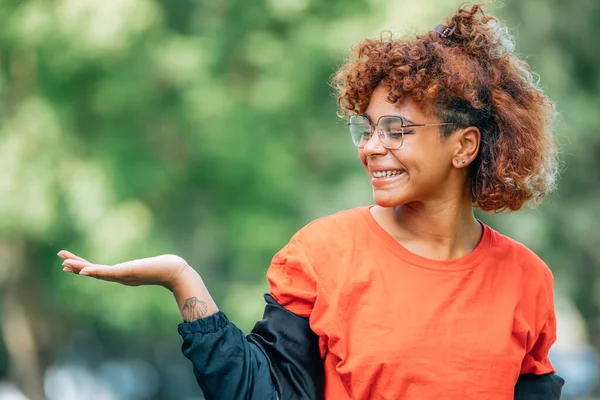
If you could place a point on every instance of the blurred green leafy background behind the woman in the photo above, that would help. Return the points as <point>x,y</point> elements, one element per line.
<point>207,129</point>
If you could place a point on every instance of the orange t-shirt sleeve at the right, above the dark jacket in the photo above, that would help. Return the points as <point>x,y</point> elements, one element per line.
<point>536,360</point>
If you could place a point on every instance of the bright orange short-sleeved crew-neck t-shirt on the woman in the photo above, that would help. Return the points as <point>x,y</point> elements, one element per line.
<point>395,325</point>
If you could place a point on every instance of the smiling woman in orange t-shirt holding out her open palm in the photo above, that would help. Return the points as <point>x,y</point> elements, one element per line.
<point>412,298</point>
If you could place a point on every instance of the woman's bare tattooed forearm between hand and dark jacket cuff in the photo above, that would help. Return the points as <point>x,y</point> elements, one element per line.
<point>192,297</point>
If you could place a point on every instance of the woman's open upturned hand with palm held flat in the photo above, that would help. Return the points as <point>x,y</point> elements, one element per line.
<point>161,270</point>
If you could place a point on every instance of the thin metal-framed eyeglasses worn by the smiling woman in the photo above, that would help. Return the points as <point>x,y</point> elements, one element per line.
<point>390,129</point>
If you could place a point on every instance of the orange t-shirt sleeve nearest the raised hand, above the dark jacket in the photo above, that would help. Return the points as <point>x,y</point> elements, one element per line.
<point>291,278</point>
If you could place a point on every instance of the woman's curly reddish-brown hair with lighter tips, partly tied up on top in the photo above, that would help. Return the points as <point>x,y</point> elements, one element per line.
<point>471,78</point>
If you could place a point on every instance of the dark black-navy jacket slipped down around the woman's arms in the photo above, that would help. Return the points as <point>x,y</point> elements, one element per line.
<point>280,359</point>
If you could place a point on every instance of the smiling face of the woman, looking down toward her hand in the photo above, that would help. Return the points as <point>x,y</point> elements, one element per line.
<point>422,167</point>
